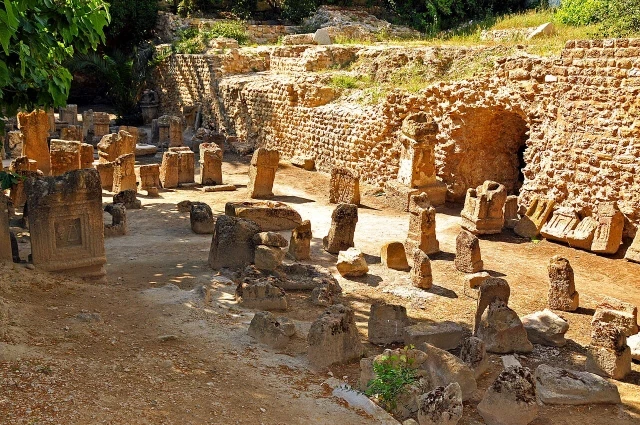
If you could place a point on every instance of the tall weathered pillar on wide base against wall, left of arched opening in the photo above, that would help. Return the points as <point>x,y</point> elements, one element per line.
<point>417,171</point>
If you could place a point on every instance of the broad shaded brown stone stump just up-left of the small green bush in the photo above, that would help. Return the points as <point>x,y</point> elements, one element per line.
<point>333,338</point>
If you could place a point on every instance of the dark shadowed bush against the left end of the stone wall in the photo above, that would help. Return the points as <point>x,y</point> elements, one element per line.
<point>126,76</point>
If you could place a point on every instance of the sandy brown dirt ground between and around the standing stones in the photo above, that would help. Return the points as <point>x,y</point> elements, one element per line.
<point>145,348</point>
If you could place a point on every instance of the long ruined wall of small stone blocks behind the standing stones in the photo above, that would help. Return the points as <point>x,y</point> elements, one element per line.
<point>567,128</point>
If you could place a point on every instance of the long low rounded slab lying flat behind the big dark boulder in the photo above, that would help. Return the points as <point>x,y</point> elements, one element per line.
<point>269,215</point>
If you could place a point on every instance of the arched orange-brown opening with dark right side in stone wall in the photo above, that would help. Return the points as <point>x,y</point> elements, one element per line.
<point>487,144</point>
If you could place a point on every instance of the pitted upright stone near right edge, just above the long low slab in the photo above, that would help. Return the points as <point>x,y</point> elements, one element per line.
<point>608,354</point>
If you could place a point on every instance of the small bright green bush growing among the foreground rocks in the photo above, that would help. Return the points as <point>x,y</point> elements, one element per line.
<point>393,374</point>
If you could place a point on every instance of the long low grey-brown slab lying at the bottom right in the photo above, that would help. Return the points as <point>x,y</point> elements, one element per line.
<point>561,386</point>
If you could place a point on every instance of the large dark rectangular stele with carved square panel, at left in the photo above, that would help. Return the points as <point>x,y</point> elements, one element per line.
<point>65,220</point>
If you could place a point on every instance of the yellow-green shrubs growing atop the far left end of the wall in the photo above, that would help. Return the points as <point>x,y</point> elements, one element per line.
<point>196,41</point>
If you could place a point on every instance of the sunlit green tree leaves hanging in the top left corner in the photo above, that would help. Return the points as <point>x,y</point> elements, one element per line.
<point>36,37</point>
